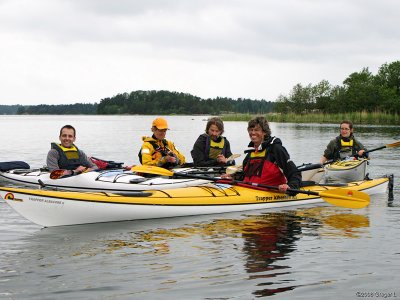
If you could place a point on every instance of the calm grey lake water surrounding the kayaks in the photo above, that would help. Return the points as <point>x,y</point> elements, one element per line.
<point>293,253</point>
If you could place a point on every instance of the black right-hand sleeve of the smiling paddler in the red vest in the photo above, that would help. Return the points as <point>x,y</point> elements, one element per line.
<point>282,158</point>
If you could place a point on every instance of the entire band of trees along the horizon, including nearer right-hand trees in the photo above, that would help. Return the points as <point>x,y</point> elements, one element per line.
<point>361,92</point>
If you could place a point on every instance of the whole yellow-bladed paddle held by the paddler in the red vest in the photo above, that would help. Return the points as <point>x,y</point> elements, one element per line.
<point>339,197</point>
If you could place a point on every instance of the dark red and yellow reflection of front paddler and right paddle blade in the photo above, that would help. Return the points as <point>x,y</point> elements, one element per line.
<point>274,237</point>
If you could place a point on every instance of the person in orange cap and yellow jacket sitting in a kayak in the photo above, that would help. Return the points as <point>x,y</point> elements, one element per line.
<point>157,150</point>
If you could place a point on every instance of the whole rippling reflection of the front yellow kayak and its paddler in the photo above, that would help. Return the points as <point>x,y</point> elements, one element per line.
<point>251,252</point>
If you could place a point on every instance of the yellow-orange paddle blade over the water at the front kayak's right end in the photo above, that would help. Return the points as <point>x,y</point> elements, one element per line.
<point>346,198</point>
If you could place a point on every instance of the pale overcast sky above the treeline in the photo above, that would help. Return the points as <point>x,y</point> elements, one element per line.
<point>81,51</point>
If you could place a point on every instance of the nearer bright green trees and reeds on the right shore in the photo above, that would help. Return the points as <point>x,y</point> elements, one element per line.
<point>361,91</point>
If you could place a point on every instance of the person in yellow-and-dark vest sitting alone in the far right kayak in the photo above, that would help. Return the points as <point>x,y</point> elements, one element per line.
<point>344,145</point>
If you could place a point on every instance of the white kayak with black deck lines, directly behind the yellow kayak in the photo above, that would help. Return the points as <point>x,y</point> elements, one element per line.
<point>105,180</point>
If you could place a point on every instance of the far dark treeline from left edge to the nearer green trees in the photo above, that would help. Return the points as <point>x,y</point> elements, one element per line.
<point>148,103</point>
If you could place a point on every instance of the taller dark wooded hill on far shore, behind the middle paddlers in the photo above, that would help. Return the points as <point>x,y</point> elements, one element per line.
<point>165,103</point>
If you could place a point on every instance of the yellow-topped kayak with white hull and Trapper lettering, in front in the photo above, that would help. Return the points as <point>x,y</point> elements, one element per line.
<point>55,208</point>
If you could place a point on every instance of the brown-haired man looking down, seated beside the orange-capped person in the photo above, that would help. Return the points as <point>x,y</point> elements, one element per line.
<point>211,148</point>
